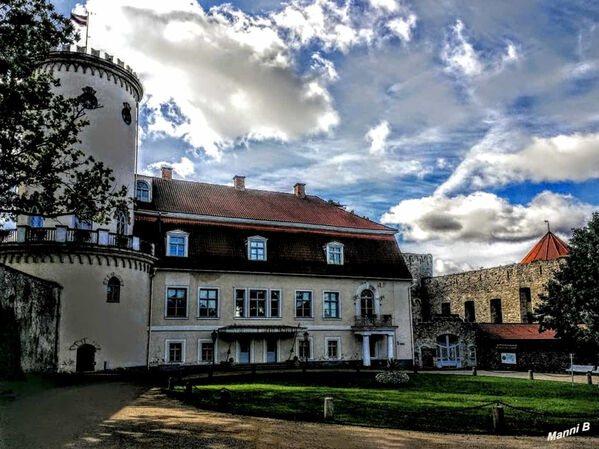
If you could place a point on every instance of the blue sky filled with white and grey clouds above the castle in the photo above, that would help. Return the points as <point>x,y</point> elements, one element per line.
<point>464,124</point>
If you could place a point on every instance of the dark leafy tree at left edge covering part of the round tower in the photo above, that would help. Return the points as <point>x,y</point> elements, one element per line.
<point>40,164</point>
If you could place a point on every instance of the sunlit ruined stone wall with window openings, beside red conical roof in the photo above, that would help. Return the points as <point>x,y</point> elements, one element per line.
<point>481,286</point>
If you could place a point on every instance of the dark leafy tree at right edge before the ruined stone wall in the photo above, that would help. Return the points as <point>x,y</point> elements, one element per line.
<point>571,305</point>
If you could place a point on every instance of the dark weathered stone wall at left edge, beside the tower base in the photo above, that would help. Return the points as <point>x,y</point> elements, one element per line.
<point>29,316</point>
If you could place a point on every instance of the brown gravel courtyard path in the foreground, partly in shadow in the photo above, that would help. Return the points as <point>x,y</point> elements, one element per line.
<point>121,415</point>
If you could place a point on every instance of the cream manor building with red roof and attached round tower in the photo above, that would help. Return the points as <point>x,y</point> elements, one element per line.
<point>198,273</point>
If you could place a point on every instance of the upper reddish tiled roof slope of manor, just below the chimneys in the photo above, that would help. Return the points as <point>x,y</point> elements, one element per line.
<point>214,200</point>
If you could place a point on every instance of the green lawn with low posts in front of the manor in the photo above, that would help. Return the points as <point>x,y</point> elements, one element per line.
<point>428,402</point>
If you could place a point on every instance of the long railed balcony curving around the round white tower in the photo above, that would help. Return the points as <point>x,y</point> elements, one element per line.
<point>74,238</point>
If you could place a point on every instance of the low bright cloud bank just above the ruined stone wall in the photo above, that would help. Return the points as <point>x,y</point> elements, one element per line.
<point>485,217</point>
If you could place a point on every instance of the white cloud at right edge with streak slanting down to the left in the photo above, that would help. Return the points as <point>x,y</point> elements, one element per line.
<point>506,156</point>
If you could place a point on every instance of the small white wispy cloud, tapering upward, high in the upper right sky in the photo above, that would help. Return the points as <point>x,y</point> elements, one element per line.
<point>459,55</point>
